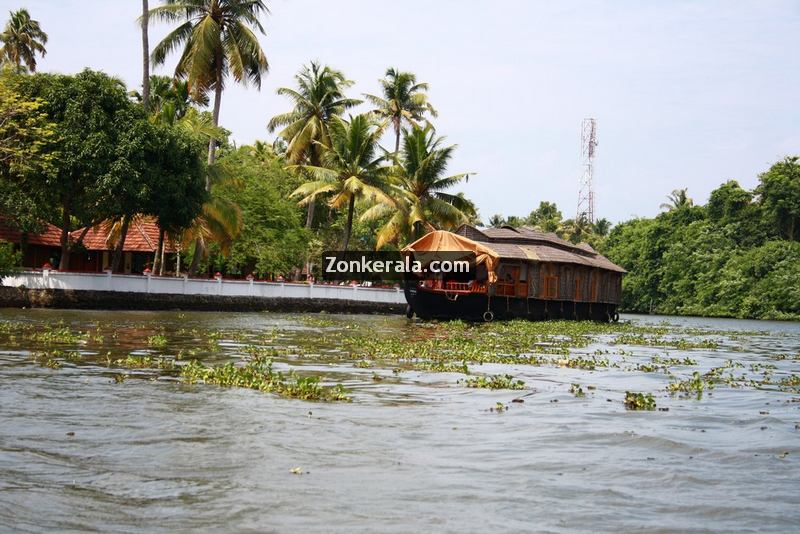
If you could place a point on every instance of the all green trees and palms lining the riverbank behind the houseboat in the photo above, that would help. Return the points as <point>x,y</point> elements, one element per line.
<point>82,150</point>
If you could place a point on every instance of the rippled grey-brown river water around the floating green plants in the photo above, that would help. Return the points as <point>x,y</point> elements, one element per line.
<point>413,451</point>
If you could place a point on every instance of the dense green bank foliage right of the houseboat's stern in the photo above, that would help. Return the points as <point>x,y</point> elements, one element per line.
<point>723,259</point>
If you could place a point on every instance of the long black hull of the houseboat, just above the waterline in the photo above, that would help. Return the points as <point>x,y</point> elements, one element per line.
<point>427,304</point>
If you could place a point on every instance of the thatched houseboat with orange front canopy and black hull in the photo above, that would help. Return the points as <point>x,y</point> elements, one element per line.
<point>518,273</point>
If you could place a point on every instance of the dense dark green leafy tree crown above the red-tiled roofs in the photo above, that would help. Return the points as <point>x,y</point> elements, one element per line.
<point>107,160</point>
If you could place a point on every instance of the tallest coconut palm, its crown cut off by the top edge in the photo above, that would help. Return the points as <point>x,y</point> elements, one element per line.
<point>218,41</point>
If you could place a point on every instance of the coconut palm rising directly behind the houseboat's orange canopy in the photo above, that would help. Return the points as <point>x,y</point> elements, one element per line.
<point>418,185</point>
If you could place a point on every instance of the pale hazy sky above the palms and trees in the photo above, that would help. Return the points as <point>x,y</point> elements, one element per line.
<point>686,94</point>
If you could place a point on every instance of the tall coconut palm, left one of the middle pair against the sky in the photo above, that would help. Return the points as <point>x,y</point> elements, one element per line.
<point>319,97</point>
